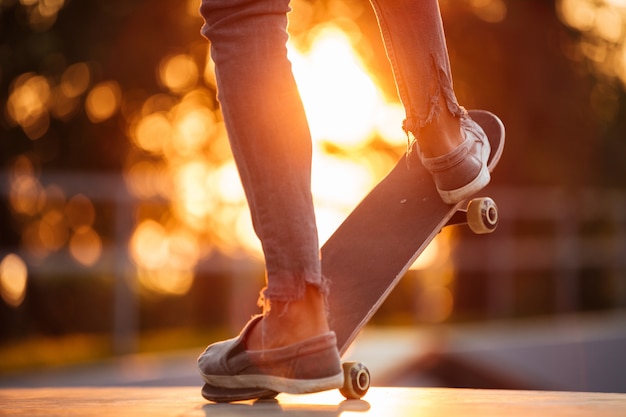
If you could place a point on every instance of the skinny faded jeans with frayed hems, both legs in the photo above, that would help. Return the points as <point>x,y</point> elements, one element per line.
<point>268,130</point>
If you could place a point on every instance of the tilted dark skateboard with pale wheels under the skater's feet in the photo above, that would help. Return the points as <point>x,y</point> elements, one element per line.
<point>378,242</point>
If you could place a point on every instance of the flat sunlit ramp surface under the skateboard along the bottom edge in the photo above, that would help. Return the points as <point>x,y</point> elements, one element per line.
<point>383,402</point>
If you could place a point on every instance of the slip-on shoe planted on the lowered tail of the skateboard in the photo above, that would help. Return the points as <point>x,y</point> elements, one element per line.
<point>309,366</point>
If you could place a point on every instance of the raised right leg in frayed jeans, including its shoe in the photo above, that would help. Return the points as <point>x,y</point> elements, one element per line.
<point>451,146</point>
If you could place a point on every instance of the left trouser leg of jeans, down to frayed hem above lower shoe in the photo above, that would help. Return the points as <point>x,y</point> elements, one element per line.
<point>270,140</point>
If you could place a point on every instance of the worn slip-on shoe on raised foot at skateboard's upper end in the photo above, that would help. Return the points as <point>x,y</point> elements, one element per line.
<point>463,172</point>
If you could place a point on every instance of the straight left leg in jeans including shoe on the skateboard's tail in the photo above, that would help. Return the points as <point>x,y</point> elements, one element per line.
<point>271,144</point>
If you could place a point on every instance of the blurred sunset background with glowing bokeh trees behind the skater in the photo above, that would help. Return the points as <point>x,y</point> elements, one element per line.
<point>125,240</point>
